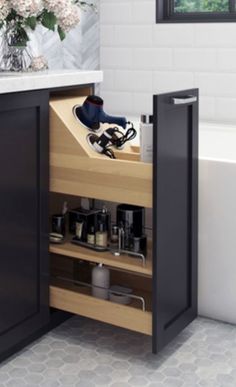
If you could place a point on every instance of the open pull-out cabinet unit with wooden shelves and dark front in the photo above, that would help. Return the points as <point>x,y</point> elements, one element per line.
<point>168,279</point>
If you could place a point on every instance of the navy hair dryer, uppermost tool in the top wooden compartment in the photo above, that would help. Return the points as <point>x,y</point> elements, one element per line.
<point>91,114</point>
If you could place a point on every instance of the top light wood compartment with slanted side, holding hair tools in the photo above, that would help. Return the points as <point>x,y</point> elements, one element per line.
<point>77,170</point>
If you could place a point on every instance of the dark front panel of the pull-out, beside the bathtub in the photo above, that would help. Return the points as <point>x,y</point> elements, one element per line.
<point>175,215</point>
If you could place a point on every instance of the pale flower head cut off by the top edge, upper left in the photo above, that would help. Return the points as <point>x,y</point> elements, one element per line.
<point>26,8</point>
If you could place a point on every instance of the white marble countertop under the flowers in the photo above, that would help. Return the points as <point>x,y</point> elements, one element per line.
<point>15,82</point>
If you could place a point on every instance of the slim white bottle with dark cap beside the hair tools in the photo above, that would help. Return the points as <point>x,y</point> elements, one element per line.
<point>146,138</point>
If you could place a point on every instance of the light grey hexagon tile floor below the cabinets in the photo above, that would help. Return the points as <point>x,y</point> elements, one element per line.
<point>85,353</point>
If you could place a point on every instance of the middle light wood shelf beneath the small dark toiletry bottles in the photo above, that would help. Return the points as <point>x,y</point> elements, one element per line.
<point>123,262</point>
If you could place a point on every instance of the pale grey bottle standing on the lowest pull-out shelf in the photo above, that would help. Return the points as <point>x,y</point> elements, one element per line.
<point>100,282</point>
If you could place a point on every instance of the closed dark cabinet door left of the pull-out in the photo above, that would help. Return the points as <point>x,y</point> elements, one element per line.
<point>23,220</point>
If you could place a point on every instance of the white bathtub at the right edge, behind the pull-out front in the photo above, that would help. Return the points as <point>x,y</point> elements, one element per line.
<point>217,222</point>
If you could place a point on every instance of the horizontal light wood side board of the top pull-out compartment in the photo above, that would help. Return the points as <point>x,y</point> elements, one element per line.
<point>113,180</point>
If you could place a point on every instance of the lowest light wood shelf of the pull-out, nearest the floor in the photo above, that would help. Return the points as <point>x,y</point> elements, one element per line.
<point>75,299</point>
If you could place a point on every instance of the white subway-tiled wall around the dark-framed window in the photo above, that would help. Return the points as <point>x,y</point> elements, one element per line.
<point>141,58</point>
